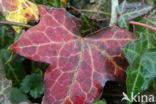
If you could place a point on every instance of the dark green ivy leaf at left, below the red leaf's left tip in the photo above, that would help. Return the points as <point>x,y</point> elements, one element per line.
<point>14,70</point>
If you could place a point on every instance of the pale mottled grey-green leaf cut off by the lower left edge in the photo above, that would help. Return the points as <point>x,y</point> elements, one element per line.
<point>5,87</point>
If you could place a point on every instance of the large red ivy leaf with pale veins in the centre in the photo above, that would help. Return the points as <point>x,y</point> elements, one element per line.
<point>79,67</point>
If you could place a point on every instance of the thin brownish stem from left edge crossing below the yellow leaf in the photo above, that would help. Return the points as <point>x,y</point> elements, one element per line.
<point>14,24</point>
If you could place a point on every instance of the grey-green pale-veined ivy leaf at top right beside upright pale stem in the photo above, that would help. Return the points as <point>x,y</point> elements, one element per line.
<point>132,10</point>
